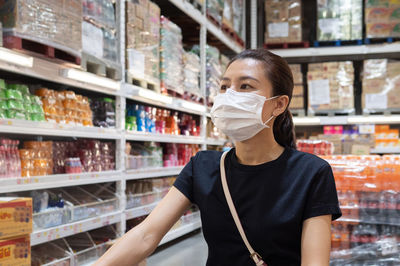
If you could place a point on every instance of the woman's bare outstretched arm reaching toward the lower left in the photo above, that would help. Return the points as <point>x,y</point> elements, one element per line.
<point>142,240</point>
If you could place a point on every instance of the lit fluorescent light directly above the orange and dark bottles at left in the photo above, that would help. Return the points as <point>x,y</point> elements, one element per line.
<point>90,78</point>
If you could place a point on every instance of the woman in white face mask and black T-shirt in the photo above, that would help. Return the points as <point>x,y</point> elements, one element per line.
<point>285,199</point>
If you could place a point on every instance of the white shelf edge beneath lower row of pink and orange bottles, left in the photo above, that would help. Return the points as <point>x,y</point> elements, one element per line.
<point>55,181</point>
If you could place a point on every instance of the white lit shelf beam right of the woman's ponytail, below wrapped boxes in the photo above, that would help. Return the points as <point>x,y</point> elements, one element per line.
<point>346,120</point>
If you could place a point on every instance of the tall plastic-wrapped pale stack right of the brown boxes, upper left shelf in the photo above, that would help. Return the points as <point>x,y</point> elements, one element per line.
<point>171,57</point>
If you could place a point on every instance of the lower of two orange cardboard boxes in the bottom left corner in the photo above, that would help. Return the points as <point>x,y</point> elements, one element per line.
<point>15,251</point>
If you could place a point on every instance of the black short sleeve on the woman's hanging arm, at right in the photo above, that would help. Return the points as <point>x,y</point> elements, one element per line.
<point>322,196</point>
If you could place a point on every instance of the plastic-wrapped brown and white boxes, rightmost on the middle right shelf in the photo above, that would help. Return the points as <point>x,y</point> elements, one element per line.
<point>380,85</point>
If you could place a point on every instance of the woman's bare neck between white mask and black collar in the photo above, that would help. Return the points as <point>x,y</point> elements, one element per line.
<point>259,149</point>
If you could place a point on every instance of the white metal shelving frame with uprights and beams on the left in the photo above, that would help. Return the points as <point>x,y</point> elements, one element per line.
<point>27,65</point>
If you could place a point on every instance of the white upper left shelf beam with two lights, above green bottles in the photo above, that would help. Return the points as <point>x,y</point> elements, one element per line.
<point>62,73</point>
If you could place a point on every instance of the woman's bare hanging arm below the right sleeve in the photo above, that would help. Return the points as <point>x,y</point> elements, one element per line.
<point>316,241</point>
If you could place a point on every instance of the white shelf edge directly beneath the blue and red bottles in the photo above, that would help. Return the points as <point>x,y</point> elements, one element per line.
<point>143,136</point>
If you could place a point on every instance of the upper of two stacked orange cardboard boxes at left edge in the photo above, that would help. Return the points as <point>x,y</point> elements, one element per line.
<point>15,217</point>
